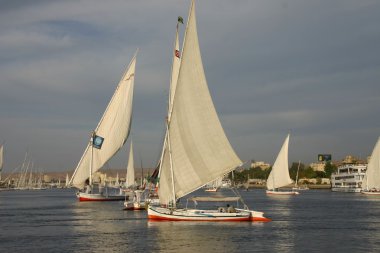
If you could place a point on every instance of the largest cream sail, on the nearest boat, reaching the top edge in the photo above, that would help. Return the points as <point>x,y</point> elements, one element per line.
<point>198,150</point>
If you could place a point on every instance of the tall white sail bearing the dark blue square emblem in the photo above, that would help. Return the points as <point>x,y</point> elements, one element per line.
<point>114,127</point>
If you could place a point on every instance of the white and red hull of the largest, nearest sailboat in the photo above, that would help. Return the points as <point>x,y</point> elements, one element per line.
<point>165,214</point>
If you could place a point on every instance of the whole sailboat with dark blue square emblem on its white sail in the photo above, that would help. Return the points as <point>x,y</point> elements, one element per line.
<point>106,140</point>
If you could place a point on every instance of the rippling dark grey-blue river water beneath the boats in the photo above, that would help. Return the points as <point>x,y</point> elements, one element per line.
<point>314,221</point>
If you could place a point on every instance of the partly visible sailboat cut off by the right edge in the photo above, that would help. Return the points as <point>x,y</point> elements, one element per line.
<point>371,181</point>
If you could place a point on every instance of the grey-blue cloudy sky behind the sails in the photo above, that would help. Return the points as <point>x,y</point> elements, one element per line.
<point>308,68</point>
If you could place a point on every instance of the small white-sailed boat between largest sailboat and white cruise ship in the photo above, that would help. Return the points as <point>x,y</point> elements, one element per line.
<point>279,175</point>
